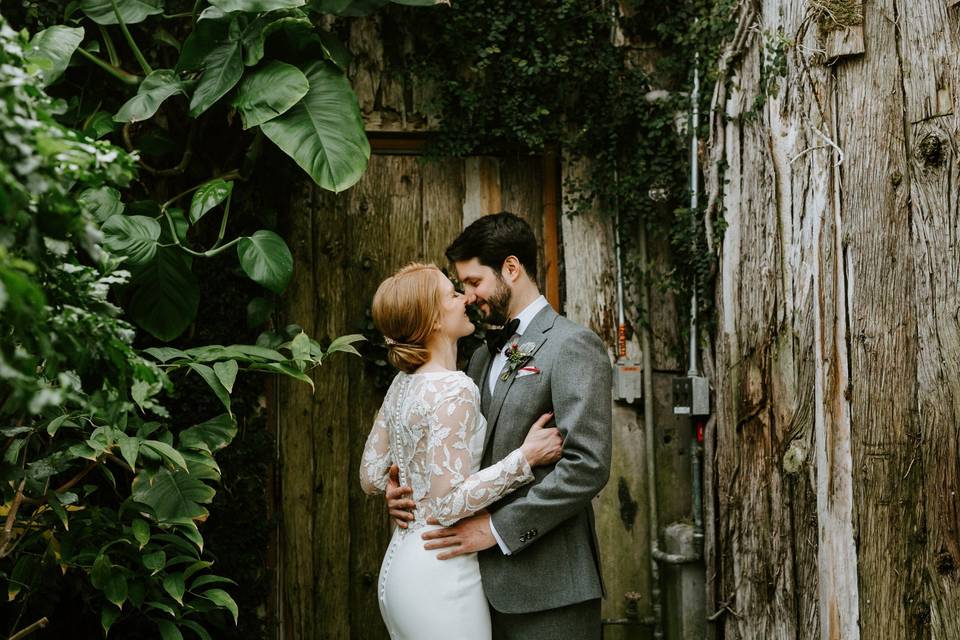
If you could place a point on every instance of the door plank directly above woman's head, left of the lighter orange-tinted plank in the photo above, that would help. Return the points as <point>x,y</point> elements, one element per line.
<point>442,191</point>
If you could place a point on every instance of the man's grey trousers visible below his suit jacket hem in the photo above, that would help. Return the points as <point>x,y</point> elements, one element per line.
<point>580,621</point>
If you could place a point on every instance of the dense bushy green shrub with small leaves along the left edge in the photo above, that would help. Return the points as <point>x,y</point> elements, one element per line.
<point>99,488</point>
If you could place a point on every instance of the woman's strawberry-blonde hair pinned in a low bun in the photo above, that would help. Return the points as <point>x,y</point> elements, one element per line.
<point>405,309</point>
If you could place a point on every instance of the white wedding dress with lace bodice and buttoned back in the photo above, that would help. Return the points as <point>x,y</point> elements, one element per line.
<point>430,426</point>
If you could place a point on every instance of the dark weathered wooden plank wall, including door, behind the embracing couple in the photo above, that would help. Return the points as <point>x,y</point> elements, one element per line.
<point>405,208</point>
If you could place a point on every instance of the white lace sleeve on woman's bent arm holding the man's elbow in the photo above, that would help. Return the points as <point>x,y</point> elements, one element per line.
<point>455,493</point>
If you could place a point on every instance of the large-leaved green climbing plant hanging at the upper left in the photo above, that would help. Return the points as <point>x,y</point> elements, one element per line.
<point>264,59</point>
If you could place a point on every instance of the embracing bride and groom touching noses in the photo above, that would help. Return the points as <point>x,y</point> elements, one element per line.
<point>489,474</point>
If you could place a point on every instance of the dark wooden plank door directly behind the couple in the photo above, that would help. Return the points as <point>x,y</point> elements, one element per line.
<point>404,209</point>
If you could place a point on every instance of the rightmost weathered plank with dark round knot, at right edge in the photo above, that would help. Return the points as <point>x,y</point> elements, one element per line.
<point>929,46</point>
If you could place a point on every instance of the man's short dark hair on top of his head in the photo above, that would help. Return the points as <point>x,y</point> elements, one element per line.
<point>492,239</point>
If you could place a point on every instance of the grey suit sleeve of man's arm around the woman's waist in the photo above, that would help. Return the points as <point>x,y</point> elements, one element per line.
<point>581,385</point>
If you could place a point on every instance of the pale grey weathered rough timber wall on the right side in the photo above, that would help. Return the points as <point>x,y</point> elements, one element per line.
<point>838,346</point>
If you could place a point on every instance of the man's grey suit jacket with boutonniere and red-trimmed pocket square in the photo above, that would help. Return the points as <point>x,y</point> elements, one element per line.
<point>548,525</point>
